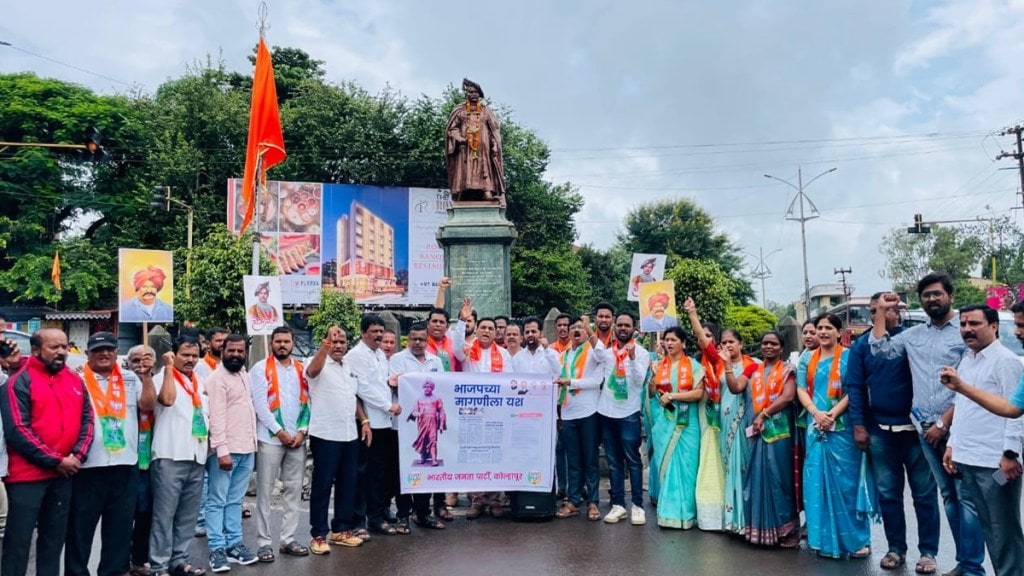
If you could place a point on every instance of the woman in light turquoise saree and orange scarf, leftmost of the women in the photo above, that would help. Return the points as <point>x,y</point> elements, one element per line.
<point>676,390</point>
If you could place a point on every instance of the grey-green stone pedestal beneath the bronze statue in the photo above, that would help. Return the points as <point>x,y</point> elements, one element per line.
<point>478,240</point>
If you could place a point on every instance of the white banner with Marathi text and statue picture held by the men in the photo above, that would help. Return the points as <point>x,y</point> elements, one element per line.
<point>462,432</point>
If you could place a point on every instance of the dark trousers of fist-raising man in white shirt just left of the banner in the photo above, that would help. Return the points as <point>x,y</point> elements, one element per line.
<point>335,466</point>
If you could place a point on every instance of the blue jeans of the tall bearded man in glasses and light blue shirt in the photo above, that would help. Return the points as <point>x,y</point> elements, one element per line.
<point>963,518</point>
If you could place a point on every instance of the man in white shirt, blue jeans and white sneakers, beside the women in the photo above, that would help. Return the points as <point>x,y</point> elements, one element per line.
<point>619,407</point>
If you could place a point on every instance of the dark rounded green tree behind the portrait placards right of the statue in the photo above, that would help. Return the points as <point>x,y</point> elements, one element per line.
<point>684,230</point>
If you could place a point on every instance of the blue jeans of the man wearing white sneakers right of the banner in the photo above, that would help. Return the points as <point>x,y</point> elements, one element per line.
<point>622,449</point>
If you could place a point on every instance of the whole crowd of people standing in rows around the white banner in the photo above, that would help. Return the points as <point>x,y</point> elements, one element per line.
<point>735,444</point>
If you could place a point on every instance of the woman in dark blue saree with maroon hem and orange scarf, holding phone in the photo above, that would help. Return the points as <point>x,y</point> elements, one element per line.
<point>770,502</point>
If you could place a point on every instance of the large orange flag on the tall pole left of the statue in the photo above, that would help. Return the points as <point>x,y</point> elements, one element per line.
<point>267,142</point>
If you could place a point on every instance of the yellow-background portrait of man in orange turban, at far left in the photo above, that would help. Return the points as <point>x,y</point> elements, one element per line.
<point>147,285</point>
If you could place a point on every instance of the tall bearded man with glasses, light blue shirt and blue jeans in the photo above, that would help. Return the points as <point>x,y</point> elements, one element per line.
<point>929,348</point>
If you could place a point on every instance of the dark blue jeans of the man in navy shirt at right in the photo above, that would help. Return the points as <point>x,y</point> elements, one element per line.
<point>898,457</point>
